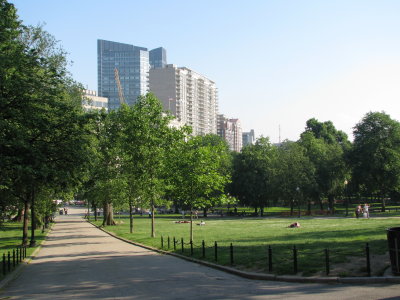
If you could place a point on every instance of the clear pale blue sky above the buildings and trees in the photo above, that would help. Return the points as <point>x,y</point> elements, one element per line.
<point>276,63</point>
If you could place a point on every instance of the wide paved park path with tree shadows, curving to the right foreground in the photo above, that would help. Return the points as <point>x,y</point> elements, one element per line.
<point>78,261</point>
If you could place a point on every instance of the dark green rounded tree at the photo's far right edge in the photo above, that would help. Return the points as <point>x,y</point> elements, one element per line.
<point>376,155</point>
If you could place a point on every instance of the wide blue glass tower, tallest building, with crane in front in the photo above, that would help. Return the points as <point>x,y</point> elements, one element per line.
<point>132,65</point>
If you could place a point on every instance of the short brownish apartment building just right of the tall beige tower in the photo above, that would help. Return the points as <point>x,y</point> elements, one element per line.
<point>231,131</point>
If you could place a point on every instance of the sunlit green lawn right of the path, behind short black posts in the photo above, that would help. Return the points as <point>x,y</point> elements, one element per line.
<point>344,237</point>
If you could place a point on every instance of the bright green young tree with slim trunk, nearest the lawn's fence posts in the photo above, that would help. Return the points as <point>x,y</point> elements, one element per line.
<point>197,173</point>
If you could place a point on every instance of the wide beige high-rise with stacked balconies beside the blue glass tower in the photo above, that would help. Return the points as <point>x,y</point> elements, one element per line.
<point>191,97</point>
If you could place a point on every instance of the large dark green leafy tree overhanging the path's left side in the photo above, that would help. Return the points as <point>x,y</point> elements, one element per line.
<point>40,117</point>
